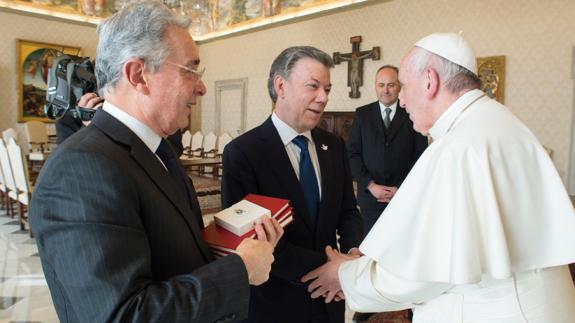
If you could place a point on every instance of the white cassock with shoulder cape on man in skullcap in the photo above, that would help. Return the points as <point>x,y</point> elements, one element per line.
<point>481,230</point>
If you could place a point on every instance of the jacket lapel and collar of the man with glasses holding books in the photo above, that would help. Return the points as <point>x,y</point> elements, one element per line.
<point>148,161</point>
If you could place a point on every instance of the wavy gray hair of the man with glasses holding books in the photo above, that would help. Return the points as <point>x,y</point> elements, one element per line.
<point>136,31</point>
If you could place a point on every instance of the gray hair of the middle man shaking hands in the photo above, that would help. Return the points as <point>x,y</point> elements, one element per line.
<point>286,60</point>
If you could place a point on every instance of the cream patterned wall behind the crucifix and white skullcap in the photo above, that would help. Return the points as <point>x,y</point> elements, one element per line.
<point>535,36</point>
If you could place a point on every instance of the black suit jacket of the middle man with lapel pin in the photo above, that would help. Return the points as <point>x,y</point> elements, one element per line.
<point>257,162</point>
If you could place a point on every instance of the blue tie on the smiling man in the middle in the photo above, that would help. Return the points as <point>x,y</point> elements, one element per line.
<point>307,179</point>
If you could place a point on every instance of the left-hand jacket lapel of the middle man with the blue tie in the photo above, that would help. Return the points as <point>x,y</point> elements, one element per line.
<point>274,150</point>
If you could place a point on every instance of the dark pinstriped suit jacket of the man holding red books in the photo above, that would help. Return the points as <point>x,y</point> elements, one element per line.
<point>119,244</point>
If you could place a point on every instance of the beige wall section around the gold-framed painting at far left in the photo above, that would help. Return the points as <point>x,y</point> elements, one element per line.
<point>15,26</point>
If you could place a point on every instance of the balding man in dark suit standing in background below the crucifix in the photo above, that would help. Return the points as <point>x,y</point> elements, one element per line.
<point>382,147</point>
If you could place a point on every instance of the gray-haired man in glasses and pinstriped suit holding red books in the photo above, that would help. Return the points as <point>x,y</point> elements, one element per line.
<point>117,225</point>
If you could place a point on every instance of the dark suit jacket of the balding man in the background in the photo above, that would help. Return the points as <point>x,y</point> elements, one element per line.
<point>379,155</point>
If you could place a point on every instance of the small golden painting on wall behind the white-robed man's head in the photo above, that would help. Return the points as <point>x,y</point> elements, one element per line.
<point>491,71</point>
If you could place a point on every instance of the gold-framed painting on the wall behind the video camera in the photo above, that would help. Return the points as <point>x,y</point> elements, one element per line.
<point>34,61</point>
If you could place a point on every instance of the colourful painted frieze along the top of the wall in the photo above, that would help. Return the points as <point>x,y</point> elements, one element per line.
<point>210,18</point>
